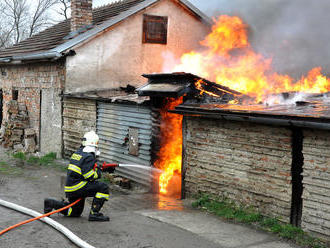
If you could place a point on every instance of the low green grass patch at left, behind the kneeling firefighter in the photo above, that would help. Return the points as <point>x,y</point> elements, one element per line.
<point>48,160</point>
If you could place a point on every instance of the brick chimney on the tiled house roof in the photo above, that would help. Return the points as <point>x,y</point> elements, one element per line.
<point>81,14</point>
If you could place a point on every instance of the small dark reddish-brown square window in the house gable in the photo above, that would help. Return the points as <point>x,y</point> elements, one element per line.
<point>154,29</point>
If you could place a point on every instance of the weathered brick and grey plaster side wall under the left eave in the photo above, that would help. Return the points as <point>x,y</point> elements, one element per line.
<point>30,80</point>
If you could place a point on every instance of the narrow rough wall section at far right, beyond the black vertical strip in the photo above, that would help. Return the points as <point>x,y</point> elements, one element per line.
<point>316,201</point>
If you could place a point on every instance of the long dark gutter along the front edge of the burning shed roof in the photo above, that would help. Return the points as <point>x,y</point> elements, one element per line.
<point>275,121</point>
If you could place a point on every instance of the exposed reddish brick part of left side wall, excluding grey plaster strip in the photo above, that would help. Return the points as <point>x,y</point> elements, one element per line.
<point>30,80</point>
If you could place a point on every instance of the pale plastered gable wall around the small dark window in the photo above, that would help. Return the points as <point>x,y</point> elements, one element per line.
<point>118,57</point>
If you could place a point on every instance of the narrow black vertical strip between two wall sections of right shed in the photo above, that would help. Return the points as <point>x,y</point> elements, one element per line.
<point>297,178</point>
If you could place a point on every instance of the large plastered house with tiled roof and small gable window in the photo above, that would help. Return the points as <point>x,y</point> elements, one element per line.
<point>106,50</point>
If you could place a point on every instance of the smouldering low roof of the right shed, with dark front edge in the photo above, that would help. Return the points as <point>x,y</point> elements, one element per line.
<point>313,112</point>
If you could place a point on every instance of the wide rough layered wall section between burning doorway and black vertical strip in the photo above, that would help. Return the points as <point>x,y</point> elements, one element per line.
<point>248,163</point>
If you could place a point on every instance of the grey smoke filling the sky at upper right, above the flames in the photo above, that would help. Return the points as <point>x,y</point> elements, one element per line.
<point>294,33</point>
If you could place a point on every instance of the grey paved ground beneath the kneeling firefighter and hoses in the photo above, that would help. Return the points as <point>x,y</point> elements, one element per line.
<point>137,218</point>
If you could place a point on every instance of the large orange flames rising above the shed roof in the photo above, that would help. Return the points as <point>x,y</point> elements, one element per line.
<point>229,60</point>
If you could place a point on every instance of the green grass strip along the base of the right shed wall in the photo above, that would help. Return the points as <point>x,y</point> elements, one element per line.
<point>231,211</point>
